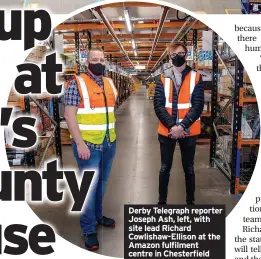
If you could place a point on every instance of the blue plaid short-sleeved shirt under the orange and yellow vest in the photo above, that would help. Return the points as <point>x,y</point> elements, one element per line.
<point>72,98</point>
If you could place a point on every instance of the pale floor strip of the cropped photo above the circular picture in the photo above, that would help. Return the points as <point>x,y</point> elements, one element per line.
<point>65,7</point>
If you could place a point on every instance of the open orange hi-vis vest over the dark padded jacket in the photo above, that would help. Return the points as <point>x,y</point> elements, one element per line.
<point>184,101</point>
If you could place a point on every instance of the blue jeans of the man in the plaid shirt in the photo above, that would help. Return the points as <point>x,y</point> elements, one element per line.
<point>101,162</point>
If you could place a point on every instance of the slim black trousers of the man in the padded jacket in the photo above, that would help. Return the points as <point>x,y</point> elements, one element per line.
<point>167,148</point>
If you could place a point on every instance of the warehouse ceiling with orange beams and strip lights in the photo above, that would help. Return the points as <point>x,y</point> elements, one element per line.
<point>145,19</point>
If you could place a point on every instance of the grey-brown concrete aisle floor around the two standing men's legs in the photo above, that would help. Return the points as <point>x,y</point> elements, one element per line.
<point>134,178</point>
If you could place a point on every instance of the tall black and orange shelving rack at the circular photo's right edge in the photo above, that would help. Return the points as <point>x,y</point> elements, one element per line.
<point>227,124</point>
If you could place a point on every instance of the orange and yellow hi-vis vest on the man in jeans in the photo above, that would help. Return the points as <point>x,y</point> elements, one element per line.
<point>96,111</point>
